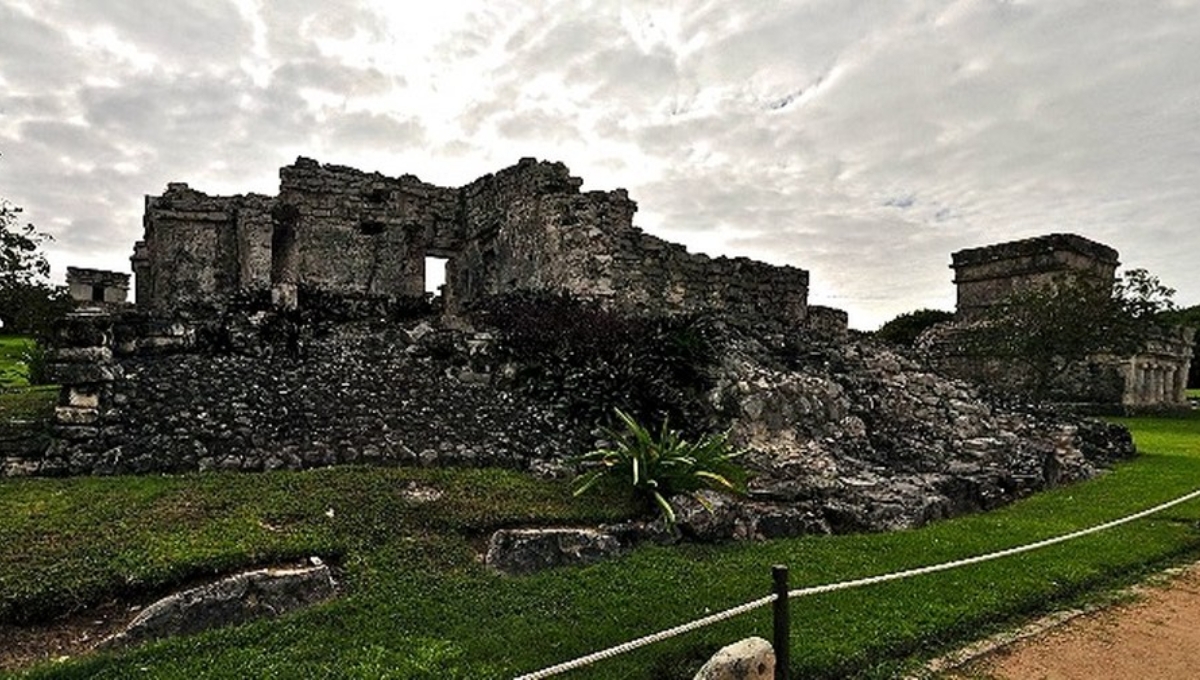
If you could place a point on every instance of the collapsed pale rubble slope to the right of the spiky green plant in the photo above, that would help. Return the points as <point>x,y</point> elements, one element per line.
<point>859,438</point>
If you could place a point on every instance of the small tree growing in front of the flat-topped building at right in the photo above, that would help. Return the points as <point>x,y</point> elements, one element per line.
<point>1045,333</point>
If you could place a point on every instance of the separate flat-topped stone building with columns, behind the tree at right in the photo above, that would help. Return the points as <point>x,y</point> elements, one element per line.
<point>1154,378</point>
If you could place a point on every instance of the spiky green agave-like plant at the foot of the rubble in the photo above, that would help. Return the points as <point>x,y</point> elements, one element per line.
<point>664,465</point>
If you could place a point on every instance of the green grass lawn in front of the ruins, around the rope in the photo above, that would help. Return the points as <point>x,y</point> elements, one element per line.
<point>419,605</point>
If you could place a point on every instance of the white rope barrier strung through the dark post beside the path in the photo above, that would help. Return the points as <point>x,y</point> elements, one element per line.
<point>843,586</point>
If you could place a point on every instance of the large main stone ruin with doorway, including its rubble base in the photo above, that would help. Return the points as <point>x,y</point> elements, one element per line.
<point>295,332</point>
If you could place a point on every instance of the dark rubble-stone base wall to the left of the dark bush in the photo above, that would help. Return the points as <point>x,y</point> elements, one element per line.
<point>142,395</point>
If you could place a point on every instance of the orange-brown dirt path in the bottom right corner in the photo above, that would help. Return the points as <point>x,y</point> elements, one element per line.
<point>1155,636</point>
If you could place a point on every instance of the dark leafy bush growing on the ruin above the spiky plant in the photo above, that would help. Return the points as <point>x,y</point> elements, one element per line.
<point>590,360</point>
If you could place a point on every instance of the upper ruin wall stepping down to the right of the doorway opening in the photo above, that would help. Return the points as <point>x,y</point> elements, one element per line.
<point>531,228</point>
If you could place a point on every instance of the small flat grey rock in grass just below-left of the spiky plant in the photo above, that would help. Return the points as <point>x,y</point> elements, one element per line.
<point>527,551</point>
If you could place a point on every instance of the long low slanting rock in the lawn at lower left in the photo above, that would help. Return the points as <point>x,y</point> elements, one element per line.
<point>235,600</point>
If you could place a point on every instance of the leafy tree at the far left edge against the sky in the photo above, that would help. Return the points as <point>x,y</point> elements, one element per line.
<point>28,302</point>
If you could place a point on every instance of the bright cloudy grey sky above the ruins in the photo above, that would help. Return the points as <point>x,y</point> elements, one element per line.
<point>863,141</point>
